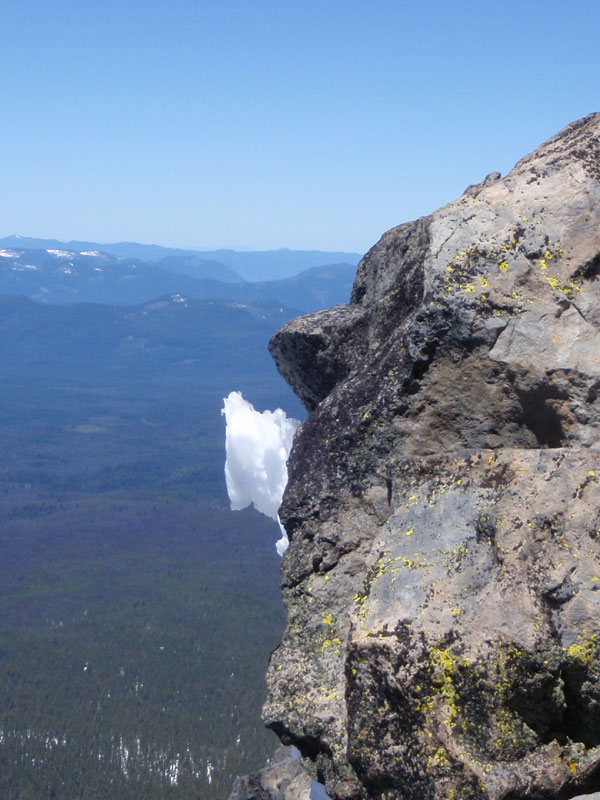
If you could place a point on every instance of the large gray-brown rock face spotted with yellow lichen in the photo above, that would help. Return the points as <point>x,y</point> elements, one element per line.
<point>443,506</point>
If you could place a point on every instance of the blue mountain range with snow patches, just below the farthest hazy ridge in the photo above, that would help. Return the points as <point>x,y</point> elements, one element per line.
<point>59,276</point>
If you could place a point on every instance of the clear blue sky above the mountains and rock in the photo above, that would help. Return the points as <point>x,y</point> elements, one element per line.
<point>264,124</point>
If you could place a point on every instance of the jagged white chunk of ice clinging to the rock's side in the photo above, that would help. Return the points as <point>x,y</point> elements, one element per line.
<point>257,446</point>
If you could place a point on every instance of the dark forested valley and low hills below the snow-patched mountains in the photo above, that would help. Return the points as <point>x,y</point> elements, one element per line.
<point>137,612</point>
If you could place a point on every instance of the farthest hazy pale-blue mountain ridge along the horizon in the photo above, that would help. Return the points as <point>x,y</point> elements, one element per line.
<point>247,265</point>
